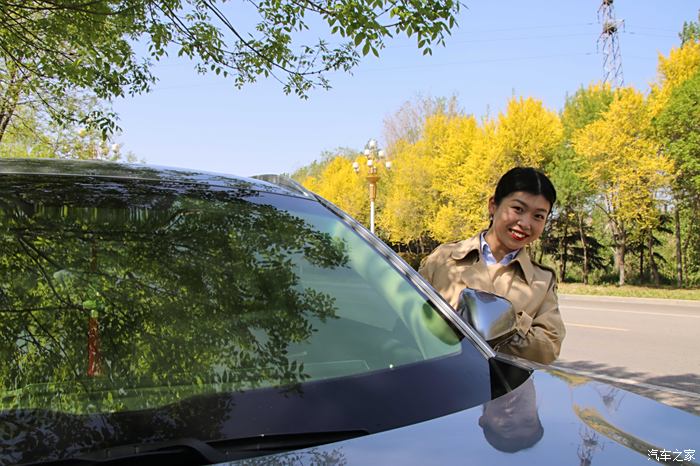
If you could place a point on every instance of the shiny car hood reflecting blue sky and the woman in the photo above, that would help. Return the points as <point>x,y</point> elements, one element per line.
<point>553,418</point>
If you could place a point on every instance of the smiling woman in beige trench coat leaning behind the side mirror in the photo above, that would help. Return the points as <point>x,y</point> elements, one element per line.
<point>495,261</point>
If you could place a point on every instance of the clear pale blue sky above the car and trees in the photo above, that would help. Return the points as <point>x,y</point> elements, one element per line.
<point>540,49</point>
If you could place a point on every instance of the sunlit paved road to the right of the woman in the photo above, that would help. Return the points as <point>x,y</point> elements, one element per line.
<point>650,346</point>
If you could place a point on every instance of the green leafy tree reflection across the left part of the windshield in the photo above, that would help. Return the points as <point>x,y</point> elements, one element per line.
<point>123,296</point>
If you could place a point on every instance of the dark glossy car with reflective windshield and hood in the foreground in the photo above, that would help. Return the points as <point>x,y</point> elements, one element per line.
<point>166,316</point>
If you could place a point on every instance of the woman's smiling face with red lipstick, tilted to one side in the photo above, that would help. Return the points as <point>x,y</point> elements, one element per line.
<point>518,220</point>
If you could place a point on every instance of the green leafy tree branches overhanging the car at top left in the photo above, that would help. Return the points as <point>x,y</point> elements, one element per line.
<point>51,47</point>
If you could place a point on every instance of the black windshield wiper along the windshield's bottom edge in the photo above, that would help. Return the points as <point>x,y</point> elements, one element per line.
<point>190,451</point>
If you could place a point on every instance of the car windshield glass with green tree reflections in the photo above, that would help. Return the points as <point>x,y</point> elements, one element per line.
<point>133,297</point>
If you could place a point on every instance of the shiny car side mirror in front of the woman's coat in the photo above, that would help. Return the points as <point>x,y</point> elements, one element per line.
<point>493,317</point>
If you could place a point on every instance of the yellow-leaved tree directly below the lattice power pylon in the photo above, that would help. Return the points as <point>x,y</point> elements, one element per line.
<point>623,161</point>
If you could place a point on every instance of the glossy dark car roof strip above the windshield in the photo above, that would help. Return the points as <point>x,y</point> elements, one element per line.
<point>113,170</point>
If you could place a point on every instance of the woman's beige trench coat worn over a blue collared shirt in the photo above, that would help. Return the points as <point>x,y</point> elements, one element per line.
<point>529,286</point>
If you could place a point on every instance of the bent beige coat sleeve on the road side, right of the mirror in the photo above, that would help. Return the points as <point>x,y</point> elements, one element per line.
<point>539,338</point>
